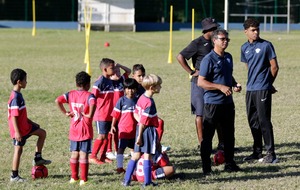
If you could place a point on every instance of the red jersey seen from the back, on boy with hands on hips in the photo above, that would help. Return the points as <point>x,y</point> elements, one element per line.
<point>81,128</point>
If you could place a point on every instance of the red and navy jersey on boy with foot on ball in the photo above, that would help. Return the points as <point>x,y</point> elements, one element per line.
<point>17,108</point>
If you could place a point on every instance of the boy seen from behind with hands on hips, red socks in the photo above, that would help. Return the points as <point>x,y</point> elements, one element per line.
<point>82,107</point>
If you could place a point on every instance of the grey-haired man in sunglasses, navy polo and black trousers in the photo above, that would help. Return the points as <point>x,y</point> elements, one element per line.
<point>215,77</point>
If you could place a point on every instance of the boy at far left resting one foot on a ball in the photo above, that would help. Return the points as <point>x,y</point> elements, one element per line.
<point>21,127</point>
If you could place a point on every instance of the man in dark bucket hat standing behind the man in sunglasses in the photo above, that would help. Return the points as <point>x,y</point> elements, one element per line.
<point>196,50</point>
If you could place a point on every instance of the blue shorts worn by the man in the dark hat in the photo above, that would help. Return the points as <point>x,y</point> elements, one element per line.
<point>197,101</point>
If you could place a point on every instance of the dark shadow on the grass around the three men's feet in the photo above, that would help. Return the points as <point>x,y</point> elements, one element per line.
<point>189,161</point>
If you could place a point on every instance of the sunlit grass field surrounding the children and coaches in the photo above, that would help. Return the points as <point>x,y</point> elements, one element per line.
<point>52,59</point>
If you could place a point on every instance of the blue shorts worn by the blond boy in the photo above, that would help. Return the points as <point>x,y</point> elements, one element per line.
<point>150,138</point>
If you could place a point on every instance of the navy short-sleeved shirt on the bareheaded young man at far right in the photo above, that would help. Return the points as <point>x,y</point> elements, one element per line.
<point>257,56</point>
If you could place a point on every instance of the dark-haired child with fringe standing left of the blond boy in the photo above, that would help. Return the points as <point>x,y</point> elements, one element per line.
<point>124,121</point>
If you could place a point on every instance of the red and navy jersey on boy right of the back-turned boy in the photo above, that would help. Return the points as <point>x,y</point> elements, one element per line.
<point>103,89</point>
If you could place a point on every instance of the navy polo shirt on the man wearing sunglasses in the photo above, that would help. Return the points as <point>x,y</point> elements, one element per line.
<point>217,69</point>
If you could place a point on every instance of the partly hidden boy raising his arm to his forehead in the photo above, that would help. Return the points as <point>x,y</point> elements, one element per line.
<point>118,80</point>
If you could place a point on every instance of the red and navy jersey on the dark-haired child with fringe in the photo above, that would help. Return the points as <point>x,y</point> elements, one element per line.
<point>123,112</point>
